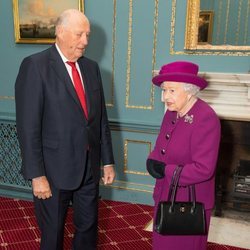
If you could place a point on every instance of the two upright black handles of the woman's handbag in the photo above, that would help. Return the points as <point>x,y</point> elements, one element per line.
<point>173,190</point>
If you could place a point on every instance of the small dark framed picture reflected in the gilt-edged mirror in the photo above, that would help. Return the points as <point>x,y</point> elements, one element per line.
<point>205,27</point>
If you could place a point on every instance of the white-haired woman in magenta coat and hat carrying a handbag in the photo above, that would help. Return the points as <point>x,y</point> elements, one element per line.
<point>189,136</point>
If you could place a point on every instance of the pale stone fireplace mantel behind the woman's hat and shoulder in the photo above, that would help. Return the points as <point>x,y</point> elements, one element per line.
<point>228,94</point>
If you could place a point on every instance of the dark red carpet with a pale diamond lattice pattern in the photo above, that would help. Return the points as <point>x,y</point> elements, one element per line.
<point>121,226</point>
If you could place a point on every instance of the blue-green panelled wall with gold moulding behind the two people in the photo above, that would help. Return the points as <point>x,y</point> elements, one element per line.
<point>129,39</point>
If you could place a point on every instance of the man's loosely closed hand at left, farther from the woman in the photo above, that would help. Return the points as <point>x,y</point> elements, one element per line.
<point>41,188</point>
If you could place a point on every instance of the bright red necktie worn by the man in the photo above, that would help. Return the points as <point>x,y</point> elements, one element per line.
<point>78,87</point>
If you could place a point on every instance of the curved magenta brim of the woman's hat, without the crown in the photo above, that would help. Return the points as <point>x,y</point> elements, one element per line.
<point>180,77</point>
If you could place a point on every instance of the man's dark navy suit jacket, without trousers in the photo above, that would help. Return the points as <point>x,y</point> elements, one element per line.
<point>53,132</point>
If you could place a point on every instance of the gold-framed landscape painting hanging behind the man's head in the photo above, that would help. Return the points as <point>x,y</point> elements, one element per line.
<point>34,21</point>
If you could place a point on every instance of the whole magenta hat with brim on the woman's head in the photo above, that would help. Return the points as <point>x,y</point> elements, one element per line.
<point>180,71</point>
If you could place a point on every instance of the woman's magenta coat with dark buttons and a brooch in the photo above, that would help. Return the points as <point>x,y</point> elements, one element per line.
<point>192,141</point>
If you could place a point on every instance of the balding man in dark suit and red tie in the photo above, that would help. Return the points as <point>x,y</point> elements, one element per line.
<point>63,132</point>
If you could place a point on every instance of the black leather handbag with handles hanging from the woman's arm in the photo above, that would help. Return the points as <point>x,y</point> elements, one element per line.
<point>180,217</point>
